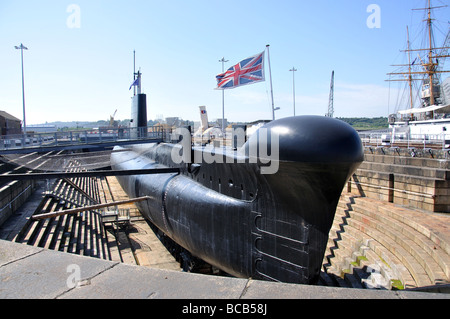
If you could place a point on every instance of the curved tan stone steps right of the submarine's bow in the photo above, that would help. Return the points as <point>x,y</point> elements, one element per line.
<point>376,244</point>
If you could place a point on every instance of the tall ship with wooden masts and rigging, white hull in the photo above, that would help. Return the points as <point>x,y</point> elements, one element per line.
<point>425,109</point>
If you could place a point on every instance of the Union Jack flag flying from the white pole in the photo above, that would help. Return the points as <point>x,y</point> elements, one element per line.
<point>248,71</point>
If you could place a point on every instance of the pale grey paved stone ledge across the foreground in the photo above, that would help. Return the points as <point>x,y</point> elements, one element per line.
<point>30,272</point>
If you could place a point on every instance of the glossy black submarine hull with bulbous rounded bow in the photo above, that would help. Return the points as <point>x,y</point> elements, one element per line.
<point>249,224</point>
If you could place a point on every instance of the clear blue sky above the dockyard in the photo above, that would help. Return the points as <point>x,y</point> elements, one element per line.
<point>84,73</point>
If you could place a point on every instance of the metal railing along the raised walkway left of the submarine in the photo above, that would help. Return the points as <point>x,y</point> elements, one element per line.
<point>21,141</point>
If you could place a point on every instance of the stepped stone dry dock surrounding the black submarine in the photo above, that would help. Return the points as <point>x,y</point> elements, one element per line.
<point>380,237</point>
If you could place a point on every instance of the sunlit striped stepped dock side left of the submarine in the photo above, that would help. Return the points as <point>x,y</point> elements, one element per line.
<point>79,234</point>
